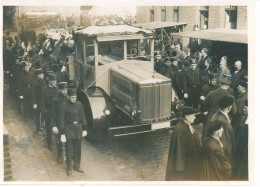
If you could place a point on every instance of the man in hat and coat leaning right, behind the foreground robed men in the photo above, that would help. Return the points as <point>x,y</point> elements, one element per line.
<point>210,104</point>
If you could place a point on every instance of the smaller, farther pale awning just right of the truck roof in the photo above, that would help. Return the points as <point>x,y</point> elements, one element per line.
<point>158,24</point>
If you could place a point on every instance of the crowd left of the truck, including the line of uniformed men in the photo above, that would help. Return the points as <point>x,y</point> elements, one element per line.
<point>40,85</point>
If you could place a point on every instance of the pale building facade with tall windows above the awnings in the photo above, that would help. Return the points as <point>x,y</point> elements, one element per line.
<point>203,17</point>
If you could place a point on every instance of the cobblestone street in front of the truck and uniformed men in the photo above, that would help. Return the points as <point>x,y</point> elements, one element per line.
<point>132,158</point>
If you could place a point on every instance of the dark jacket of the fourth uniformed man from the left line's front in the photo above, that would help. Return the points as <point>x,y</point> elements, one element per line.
<point>38,93</point>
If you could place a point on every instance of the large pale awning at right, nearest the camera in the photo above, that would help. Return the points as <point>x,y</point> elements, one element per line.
<point>224,35</point>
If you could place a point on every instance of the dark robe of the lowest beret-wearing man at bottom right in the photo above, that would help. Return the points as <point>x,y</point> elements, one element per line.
<point>214,162</point>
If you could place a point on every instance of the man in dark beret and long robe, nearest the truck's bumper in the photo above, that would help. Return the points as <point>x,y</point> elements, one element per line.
<point>185,149</point>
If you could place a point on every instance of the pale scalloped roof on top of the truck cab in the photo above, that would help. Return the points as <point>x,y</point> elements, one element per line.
<point>112,30</point>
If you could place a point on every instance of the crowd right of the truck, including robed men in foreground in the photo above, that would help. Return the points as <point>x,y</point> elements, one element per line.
<point>220,96</point>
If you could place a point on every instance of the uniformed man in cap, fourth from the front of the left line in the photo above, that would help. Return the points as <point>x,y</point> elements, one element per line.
<point>38,98</point>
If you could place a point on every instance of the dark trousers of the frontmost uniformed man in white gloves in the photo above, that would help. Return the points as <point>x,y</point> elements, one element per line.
<point>73,152</point>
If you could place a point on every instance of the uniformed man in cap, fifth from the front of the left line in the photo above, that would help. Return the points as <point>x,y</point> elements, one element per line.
<point>25,90</point>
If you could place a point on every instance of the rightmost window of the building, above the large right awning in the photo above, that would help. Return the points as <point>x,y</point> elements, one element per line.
<point>231,17</point>
